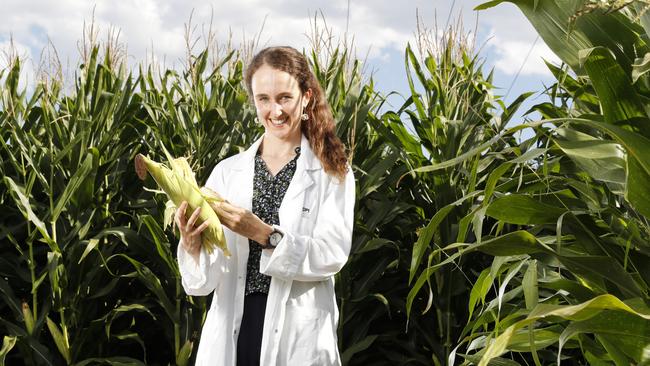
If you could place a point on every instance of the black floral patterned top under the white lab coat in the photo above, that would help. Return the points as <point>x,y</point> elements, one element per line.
<point>268,192</point>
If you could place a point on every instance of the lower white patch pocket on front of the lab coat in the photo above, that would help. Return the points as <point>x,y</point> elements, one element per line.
<point>300,338</point>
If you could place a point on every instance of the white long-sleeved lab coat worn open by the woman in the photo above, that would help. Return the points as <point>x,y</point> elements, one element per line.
<point>316,217</point>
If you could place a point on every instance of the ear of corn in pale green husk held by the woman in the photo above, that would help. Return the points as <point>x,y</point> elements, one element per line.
<point>180,185</point>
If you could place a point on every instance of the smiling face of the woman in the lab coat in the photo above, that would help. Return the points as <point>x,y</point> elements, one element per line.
<point>279,102</point>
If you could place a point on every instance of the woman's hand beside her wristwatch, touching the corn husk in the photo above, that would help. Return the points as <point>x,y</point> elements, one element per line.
<point>243,222</point>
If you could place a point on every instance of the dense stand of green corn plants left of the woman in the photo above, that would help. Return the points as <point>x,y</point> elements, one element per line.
<point>88,274</point>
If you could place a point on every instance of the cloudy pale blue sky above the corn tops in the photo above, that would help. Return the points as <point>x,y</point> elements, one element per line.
<point>380,29</point>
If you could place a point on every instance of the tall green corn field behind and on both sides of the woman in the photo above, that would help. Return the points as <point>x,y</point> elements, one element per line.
<point>470,245</point>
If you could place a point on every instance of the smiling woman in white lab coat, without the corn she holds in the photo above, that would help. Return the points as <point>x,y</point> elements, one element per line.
<point>288,216</point>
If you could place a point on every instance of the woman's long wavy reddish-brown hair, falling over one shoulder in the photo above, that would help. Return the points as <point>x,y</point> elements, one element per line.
<point>320,128</point>
